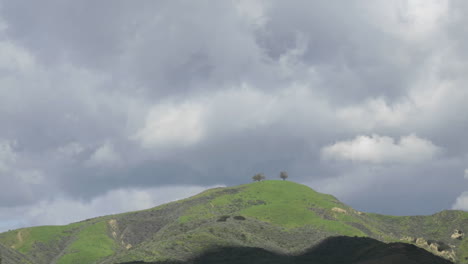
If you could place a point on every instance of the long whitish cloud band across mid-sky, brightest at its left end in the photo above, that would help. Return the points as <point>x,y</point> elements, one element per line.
<point>228,112</point>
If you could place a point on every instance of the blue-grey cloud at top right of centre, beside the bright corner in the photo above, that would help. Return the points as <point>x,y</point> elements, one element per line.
<point>353,57</point>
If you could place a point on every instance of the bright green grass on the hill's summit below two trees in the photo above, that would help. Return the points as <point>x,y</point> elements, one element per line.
<point>283,203</point>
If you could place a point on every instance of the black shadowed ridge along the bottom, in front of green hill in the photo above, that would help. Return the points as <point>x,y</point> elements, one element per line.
<point>334,250</point>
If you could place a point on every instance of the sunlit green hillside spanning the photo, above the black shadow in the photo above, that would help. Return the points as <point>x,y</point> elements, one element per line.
<point>278,218</point>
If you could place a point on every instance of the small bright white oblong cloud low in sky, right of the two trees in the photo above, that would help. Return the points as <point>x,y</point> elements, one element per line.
<point>382,149</point>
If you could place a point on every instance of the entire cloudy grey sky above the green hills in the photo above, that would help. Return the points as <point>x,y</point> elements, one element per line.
<point>112,106</point>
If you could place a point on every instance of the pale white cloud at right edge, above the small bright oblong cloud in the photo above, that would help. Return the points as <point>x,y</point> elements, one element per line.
<point>431,102</point>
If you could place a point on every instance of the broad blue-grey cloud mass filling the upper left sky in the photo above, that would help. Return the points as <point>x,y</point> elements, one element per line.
<point>159,48</point>
